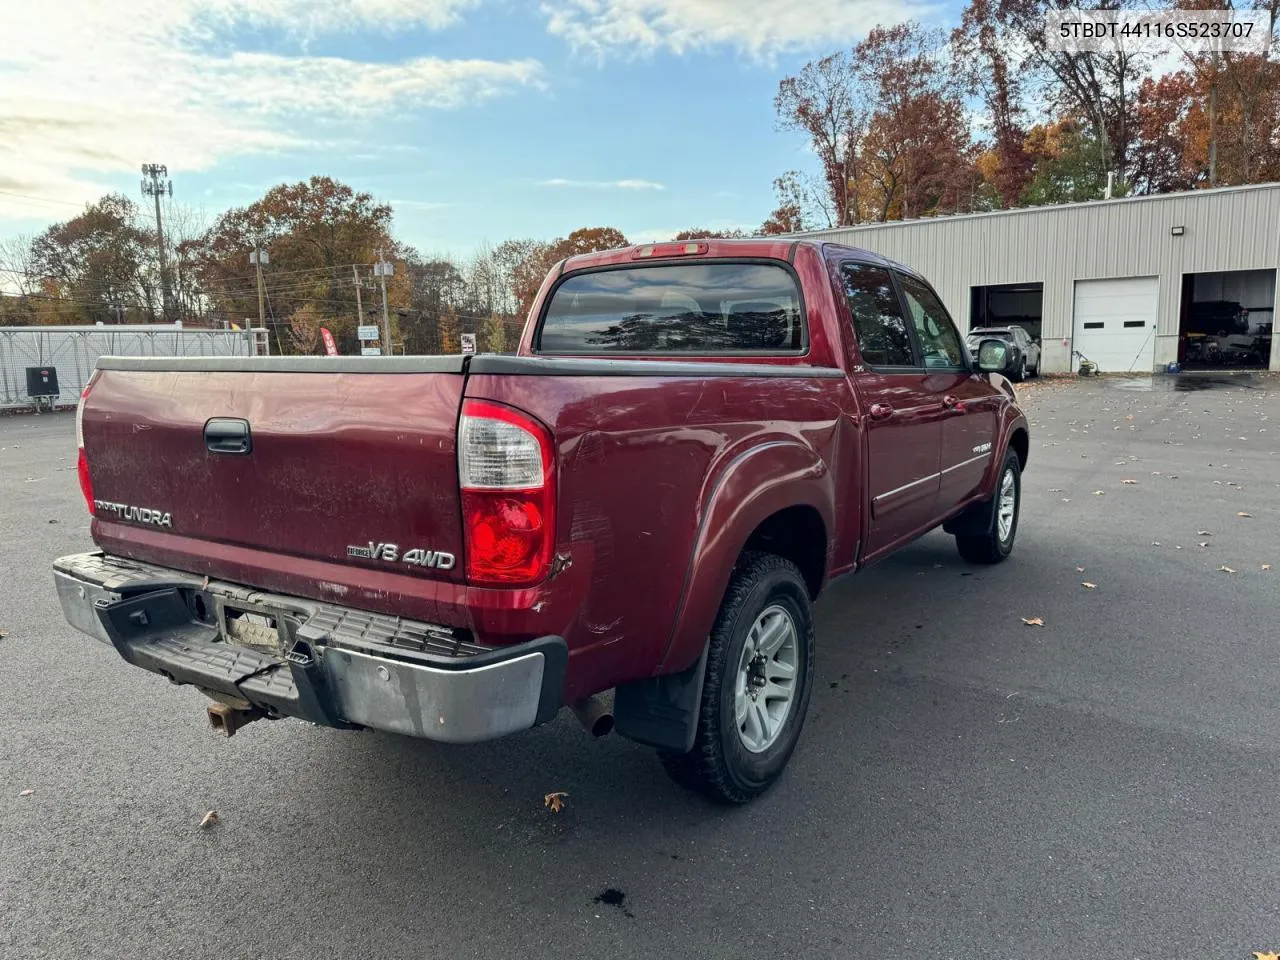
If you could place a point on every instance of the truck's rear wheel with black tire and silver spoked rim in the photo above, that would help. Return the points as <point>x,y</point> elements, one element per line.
<point>737,757</point>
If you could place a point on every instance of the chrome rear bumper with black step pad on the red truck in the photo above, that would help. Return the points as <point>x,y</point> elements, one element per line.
<point>313,661</point>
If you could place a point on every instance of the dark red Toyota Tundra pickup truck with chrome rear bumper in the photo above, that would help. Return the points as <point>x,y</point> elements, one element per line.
<point>692,441</point>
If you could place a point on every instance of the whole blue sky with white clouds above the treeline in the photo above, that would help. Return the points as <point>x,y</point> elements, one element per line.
<point>478,120</point>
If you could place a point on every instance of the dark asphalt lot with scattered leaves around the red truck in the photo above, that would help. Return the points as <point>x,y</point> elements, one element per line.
<point>967,785</point>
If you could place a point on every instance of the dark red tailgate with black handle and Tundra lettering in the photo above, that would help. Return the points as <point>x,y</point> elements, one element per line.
<point>344,459</point>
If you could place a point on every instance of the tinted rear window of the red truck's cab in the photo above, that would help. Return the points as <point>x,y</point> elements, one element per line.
<point>712,308</point>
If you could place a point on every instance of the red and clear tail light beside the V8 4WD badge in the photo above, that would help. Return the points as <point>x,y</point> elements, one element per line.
<point>506,472</point>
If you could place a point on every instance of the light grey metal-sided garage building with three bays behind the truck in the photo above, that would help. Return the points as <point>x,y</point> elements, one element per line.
<point>1132,285</point>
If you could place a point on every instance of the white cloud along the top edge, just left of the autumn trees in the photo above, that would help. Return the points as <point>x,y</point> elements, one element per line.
<point>756,28</point>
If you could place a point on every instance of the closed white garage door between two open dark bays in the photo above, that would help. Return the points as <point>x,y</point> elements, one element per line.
<point>1116,323</point>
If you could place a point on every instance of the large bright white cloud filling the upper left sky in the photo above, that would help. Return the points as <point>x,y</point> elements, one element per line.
<point>108,85</point>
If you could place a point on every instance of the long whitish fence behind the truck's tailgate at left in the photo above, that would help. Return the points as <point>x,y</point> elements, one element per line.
<point>74,351</point>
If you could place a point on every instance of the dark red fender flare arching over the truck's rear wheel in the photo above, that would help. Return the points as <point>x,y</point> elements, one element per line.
<point>752,487</point>
